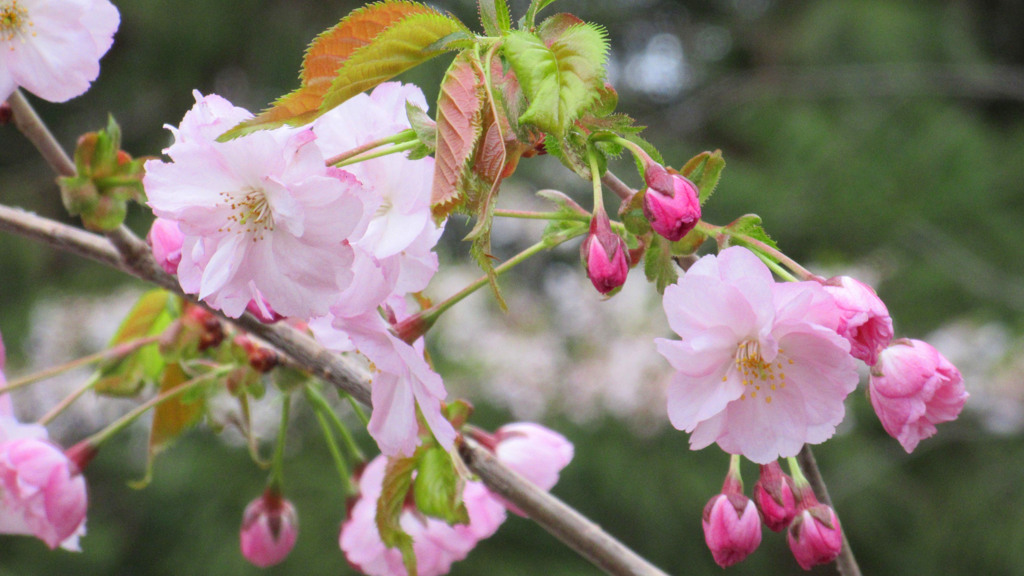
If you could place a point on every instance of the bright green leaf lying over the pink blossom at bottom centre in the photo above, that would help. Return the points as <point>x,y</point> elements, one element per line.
<point>438,488</point>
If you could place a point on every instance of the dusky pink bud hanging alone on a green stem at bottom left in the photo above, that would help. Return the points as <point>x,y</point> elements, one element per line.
<point>270,527</point>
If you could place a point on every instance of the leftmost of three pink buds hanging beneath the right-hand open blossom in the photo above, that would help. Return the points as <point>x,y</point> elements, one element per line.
<point>733,528</point>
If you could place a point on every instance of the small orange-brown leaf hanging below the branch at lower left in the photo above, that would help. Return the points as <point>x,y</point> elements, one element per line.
<point>170,419</point>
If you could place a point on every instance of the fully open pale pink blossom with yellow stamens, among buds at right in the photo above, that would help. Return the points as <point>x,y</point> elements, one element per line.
<point>760,368</point>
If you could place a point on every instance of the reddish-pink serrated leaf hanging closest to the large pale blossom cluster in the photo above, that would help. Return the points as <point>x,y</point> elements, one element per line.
<point>460,125</point>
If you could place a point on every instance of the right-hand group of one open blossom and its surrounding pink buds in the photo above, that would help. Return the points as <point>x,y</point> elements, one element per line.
<point>763,368</point>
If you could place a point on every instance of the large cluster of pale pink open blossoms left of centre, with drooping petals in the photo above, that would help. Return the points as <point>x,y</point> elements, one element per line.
<point>262,223</point>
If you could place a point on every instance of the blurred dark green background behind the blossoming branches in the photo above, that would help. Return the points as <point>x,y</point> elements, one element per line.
<point>882,137</point>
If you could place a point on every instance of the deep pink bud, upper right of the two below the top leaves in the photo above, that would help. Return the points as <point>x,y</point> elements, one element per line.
<point>672,203</point>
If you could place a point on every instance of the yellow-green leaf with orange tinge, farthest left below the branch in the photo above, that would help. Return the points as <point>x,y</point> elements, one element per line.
<point>151,316</point>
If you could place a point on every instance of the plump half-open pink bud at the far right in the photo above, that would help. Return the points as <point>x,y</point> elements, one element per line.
<point>913,388</point>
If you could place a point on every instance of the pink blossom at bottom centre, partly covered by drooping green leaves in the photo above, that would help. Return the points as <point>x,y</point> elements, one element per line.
<point>436,544</point>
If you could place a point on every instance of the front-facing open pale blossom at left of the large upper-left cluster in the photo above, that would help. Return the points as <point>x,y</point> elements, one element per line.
<point>262,216</point>
